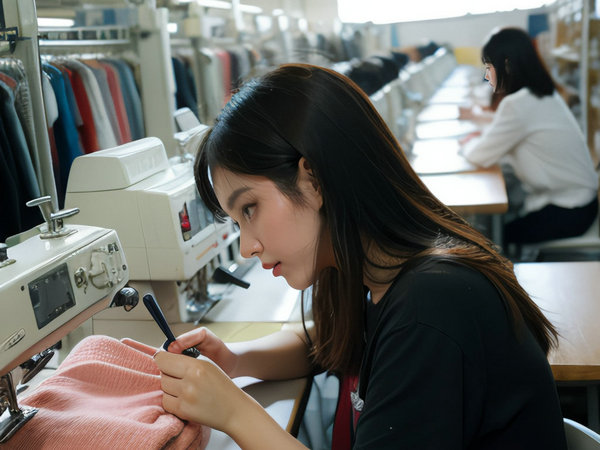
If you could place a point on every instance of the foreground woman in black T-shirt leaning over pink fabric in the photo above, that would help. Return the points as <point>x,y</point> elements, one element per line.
<point>425,322</point>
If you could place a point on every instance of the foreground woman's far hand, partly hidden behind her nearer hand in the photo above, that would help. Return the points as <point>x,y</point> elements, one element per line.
<point>210,346</point>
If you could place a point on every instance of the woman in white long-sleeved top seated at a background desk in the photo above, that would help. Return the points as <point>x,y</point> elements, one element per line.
<point>535,133</point>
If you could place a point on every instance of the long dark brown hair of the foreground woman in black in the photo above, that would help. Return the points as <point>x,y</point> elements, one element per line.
<point>371,197</point>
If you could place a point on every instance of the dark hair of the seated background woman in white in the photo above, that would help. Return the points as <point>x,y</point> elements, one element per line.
<point>517,63</point>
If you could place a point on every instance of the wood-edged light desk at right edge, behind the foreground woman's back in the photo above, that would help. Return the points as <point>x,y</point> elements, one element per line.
<point>568,294</point>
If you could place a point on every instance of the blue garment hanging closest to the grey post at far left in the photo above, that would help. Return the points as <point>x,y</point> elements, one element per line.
<point>65,130</point>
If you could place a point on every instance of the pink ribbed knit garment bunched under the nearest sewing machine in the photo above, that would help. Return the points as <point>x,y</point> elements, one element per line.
<point>105,395</point>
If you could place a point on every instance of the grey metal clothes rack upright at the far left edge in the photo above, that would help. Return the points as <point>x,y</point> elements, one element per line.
<point>19,38</point>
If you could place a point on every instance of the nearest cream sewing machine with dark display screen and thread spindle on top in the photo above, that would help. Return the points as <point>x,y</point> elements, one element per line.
<point>50,283</point>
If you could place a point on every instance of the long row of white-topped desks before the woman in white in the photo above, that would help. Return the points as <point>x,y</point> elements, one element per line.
<point>435,155</point>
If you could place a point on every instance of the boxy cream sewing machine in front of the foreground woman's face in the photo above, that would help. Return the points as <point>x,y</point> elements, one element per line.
<point>167,233</point>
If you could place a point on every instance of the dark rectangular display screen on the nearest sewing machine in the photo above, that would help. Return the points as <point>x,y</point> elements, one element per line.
<point>51,295</point>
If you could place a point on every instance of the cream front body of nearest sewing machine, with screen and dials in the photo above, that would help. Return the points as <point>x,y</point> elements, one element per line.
<point>50,286</point>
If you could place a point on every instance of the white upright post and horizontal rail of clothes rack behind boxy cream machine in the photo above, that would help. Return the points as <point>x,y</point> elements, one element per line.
<point>149,41</point>
